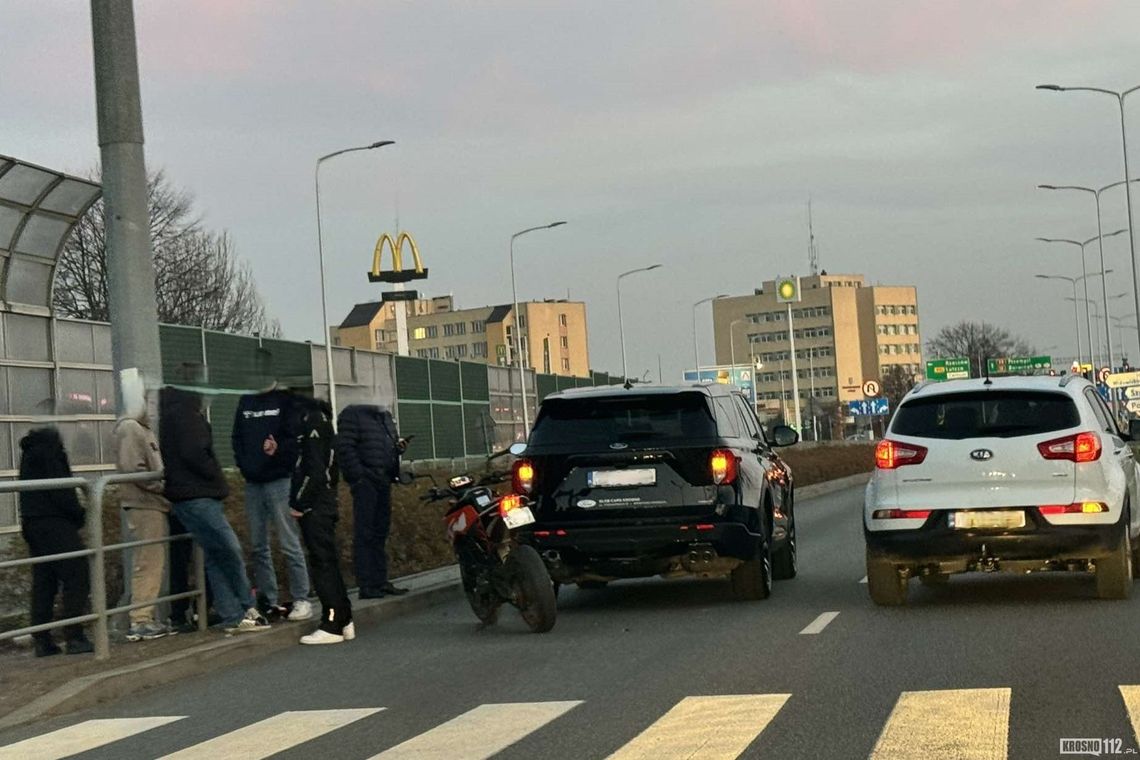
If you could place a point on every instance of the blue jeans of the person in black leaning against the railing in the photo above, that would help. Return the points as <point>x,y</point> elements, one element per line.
<point>225,566</point>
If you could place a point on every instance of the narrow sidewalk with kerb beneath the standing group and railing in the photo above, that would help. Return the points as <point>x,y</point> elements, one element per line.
<point>32,689</point>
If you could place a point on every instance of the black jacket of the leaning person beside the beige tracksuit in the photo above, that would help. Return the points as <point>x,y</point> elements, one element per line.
<point>188,450</point>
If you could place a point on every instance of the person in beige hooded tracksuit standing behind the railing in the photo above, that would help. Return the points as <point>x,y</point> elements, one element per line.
<point>145,509</point>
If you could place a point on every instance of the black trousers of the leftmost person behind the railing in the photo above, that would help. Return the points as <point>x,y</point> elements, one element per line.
<point>55,536</point>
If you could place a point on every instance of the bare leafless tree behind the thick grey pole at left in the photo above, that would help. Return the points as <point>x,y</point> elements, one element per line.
<point>199,279</point>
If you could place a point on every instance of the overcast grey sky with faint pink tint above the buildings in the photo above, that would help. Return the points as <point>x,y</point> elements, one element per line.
<point>687,134</point>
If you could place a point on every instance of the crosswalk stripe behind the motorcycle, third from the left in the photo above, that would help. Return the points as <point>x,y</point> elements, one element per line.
<point>481,733</point>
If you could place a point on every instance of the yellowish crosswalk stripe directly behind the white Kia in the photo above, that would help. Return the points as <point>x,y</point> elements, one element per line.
<point>970,724</point>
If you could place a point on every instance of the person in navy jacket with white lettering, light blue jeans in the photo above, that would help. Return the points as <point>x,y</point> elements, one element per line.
<point>265,451</point>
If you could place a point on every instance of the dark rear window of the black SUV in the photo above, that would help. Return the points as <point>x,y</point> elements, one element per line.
<point>625,419</point>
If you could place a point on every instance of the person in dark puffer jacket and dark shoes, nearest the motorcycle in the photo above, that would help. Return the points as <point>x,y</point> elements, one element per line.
<point>370,451</point>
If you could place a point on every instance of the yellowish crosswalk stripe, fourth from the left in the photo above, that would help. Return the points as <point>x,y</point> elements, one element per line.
<point>707,728</point>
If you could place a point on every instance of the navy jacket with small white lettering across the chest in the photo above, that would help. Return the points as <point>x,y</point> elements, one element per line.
<point>257,419</point>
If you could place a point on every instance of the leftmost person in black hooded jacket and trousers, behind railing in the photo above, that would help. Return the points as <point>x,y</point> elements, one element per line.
<point>51,522</point>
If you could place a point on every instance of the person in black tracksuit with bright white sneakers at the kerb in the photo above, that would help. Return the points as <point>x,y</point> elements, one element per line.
<point>313,503</point>
